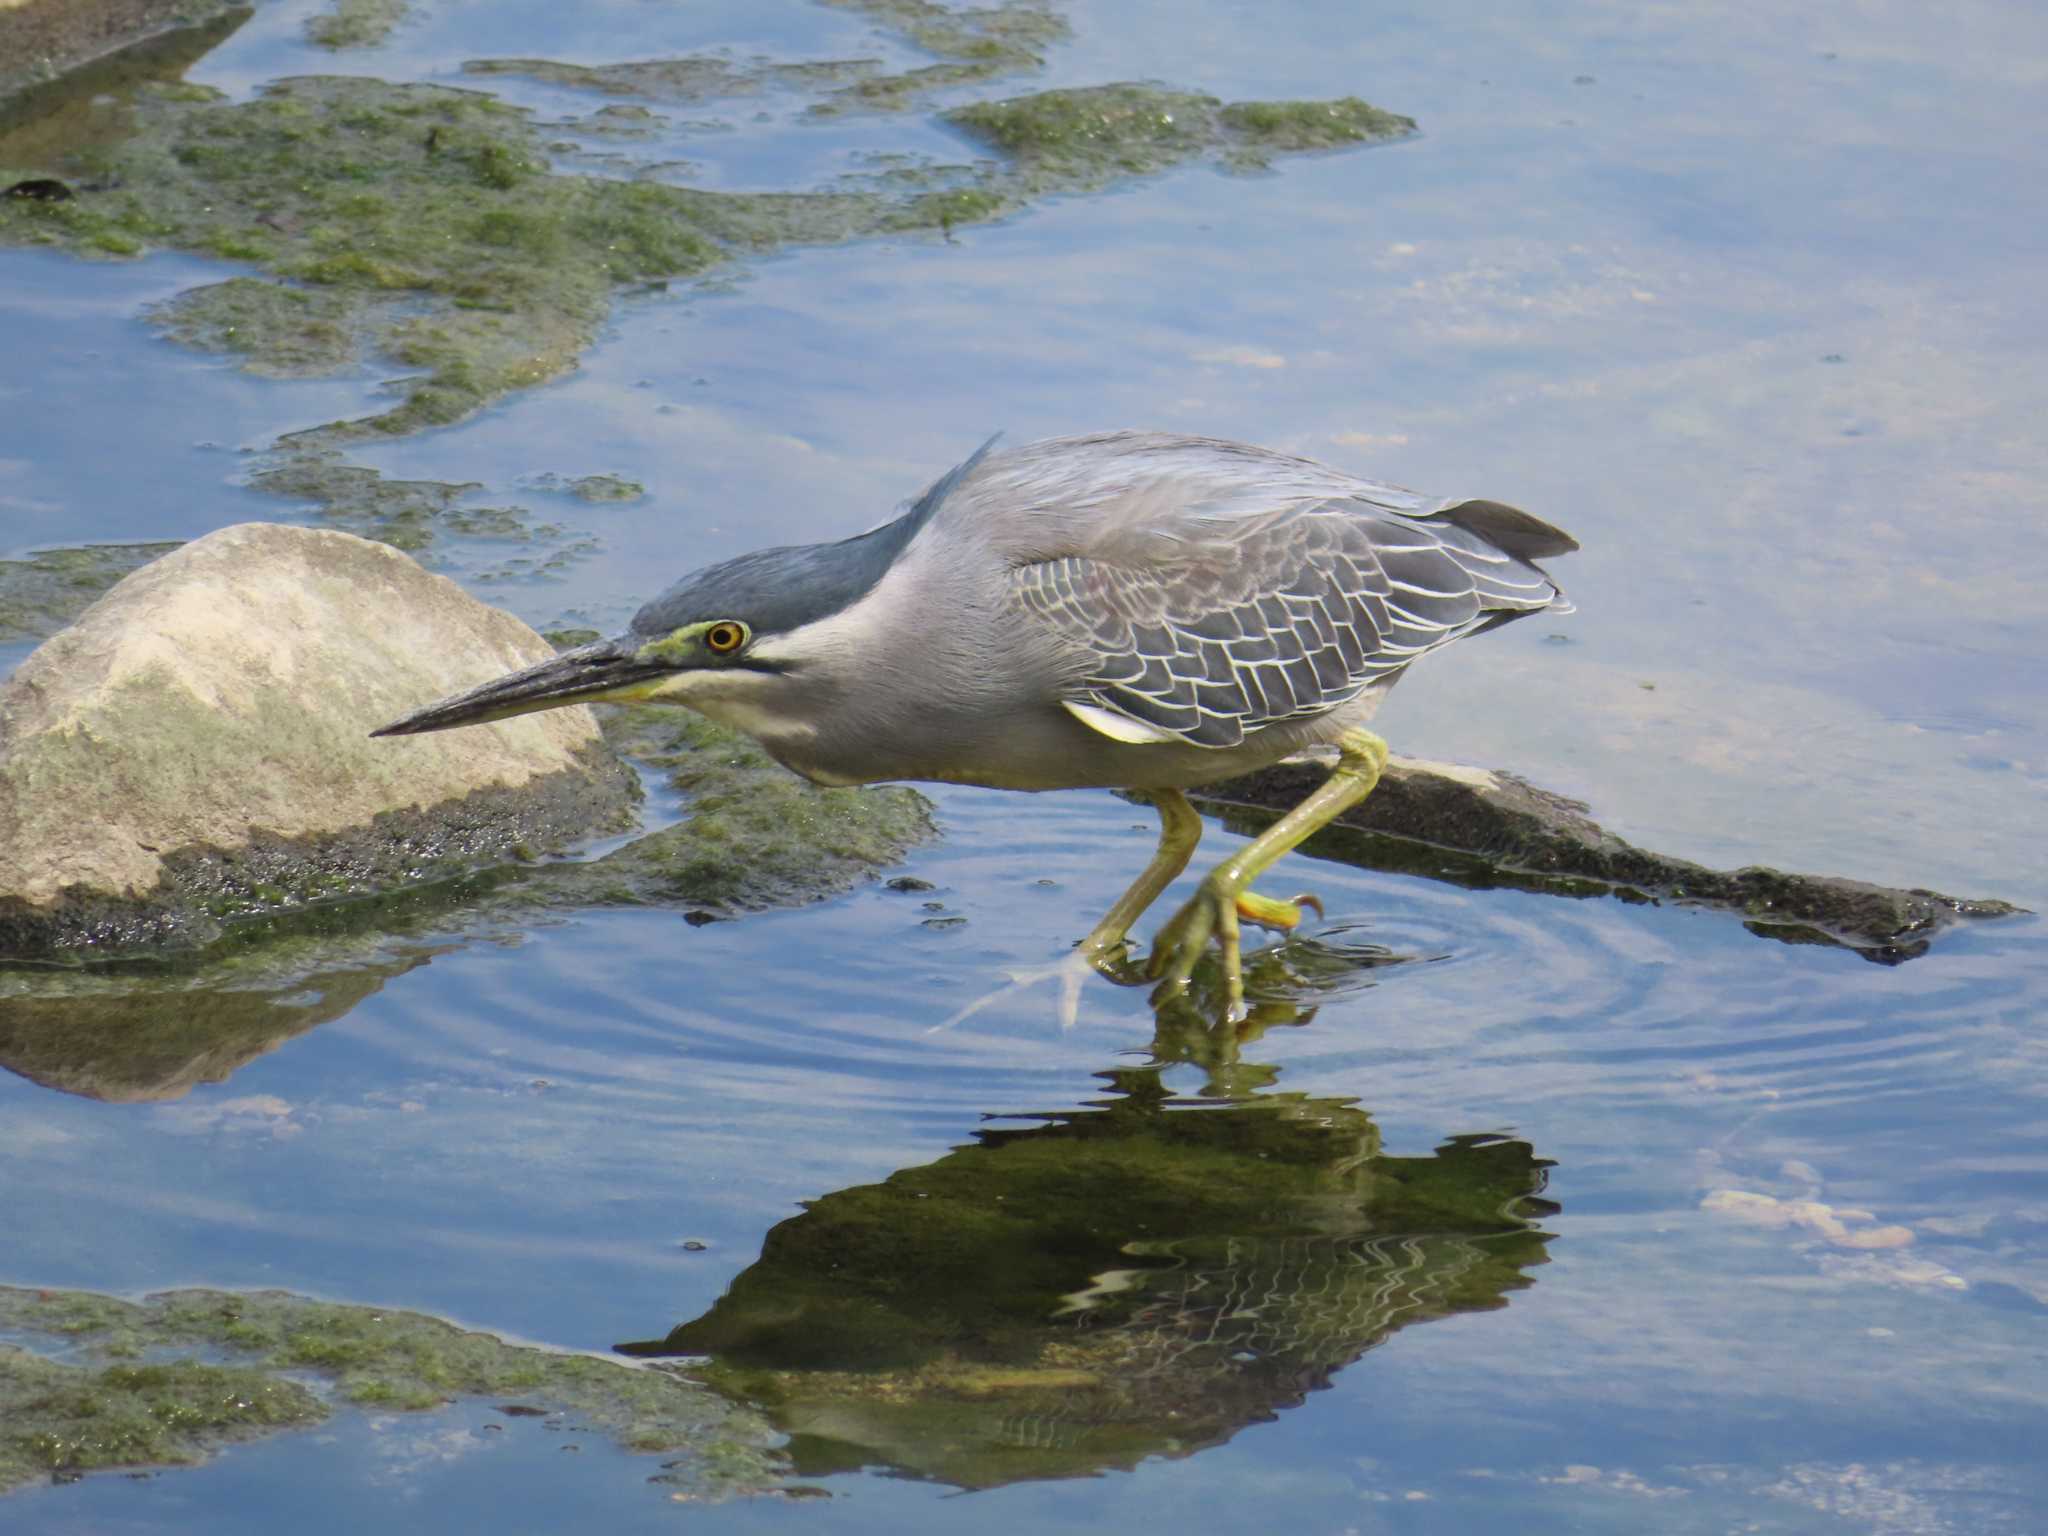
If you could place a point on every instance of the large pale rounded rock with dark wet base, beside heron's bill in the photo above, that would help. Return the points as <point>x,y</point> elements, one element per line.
<point>196,749</point>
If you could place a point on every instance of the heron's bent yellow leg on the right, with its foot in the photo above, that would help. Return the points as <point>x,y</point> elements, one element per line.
<point>1213,910</point>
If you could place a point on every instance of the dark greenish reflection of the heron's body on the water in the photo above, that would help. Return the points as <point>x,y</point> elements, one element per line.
<point>1136,1279</point>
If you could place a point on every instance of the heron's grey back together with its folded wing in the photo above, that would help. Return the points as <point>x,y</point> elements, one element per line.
<point>1211,591</point>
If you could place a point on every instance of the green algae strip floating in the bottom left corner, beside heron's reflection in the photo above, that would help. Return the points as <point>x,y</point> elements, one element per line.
<point>112,1400</point>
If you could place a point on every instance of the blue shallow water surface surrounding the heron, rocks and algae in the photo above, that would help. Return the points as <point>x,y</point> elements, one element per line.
<point>1746,302</point>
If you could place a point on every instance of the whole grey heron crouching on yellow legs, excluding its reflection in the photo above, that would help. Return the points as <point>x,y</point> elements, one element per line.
<point>1129,609</point>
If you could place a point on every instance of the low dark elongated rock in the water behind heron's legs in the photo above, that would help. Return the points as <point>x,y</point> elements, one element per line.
<point>1486,830</point>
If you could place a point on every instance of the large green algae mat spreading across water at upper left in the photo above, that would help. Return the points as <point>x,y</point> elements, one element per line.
<point>427,224</point>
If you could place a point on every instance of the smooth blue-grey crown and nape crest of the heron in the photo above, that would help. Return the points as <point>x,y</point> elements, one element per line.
<point>777,591</point>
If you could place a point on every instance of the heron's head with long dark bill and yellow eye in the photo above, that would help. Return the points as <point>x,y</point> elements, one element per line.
<point>732,640</point>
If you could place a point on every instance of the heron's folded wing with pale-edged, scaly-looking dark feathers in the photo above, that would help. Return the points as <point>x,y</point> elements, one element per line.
<point>1271,617</point>
